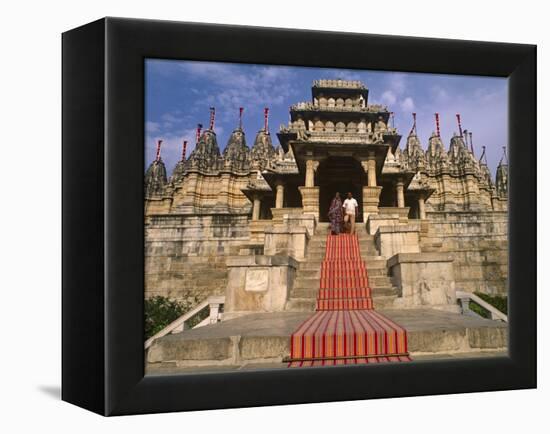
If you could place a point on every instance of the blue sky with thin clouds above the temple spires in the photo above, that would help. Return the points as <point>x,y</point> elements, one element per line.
<point>179,94</point>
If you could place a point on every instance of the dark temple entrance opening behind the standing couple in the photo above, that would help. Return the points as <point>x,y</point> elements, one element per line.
<point>340,174</point>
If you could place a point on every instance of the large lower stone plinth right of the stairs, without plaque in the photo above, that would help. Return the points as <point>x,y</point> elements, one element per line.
<point>424,279</point>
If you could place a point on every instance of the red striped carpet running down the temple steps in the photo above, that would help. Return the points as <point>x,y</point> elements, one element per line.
<point>345,329</point>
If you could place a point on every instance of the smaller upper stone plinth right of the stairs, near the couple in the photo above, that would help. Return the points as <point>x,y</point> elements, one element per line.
<point>391,240</point>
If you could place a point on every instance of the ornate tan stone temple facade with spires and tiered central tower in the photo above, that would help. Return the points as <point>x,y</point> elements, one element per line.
<point>239,222</point>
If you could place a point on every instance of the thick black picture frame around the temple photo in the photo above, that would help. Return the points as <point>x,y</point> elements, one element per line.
<point>103,226</point>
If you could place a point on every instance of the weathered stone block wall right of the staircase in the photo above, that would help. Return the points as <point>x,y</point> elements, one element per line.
<point>479,244</point>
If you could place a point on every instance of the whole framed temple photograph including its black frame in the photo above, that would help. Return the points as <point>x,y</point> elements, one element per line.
<point>258,216</point>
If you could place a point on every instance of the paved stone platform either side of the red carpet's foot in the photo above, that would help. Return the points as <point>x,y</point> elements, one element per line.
<point>262,340</point>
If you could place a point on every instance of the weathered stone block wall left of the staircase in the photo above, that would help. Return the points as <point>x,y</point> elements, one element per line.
<point>185,254</point>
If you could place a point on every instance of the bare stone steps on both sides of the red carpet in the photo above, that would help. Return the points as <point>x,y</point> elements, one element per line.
<point>306,285</point>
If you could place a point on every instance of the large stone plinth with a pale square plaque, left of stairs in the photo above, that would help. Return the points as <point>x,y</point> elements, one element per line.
<point>258,284</point>
